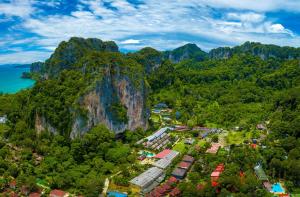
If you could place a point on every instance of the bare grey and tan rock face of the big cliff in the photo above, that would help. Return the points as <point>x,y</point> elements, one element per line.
<point>113,88</point>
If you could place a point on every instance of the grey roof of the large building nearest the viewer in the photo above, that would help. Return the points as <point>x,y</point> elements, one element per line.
<point>148,177</point>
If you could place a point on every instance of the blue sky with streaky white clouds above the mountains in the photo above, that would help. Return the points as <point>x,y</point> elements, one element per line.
<point>30,30</point>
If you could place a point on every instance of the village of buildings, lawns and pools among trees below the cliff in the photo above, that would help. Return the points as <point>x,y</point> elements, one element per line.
<point>168,156</point>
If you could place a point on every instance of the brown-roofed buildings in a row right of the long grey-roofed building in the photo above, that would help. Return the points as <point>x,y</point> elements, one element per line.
<point>182,168</point>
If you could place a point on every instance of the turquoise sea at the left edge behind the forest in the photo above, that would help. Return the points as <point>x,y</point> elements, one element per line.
<point>10,78</point>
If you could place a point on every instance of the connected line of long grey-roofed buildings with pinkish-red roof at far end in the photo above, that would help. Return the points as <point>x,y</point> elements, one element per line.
<point>151,178</point>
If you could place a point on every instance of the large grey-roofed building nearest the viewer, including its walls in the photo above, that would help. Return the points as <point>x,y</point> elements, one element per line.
<point>148,180</point>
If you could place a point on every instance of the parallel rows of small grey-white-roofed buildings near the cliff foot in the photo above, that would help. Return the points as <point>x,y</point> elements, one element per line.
<point>158,140</point>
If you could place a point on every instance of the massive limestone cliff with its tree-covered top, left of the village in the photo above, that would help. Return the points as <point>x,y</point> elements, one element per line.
<point>115,94</point>
